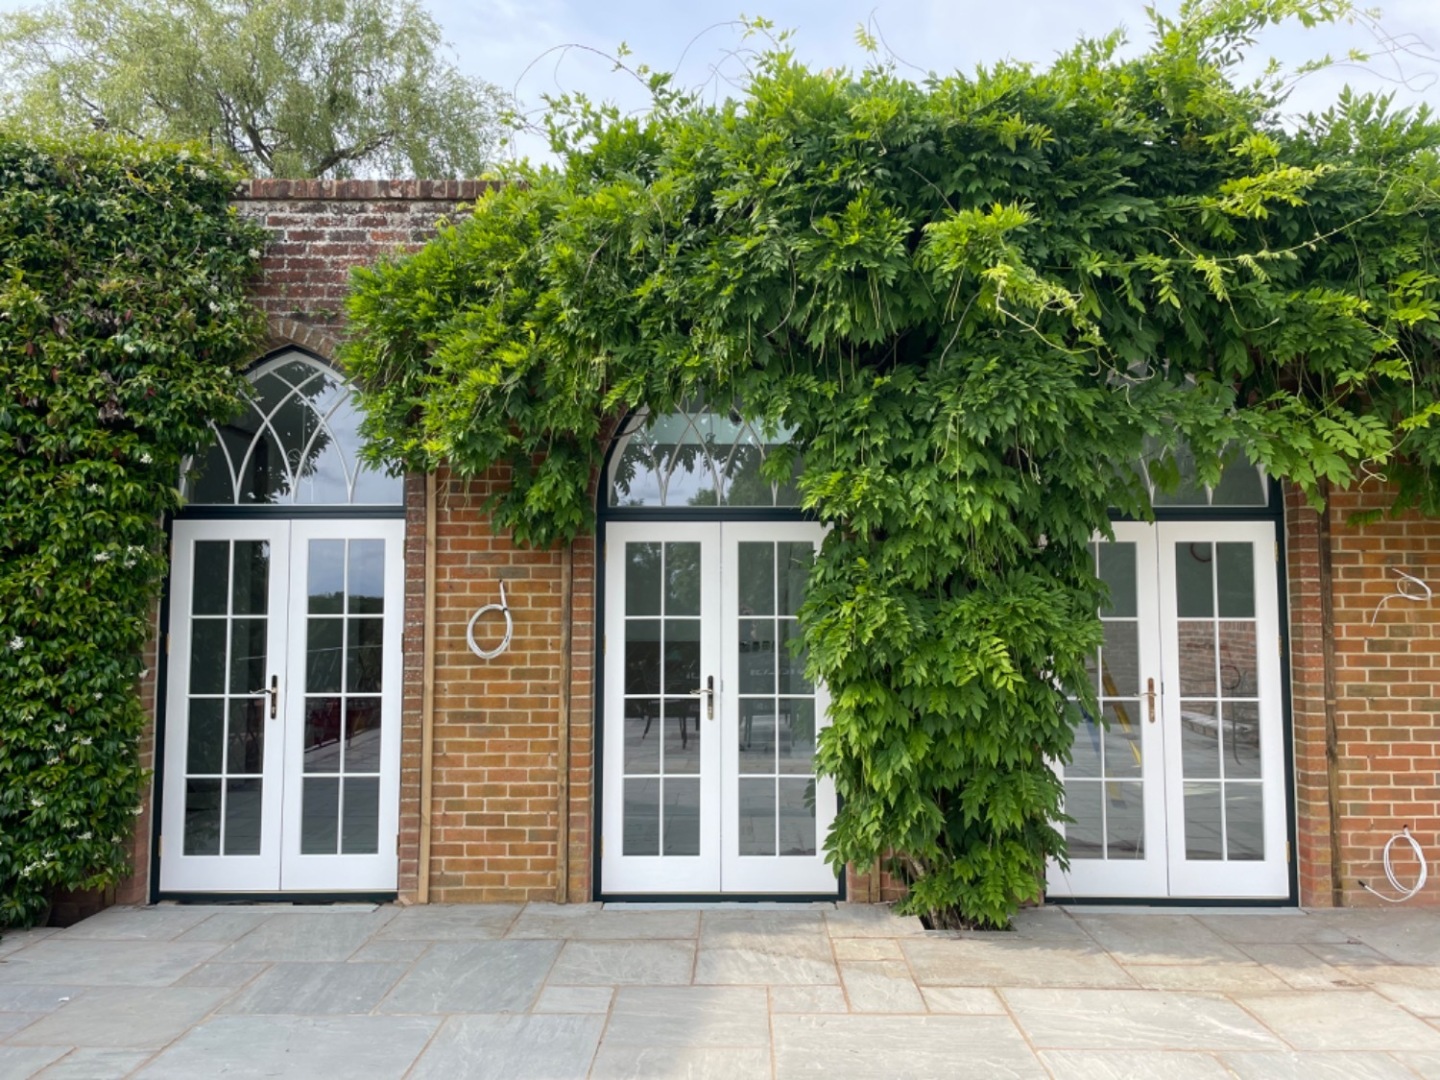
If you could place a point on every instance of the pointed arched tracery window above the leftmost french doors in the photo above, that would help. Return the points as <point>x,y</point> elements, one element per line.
<point>297,443</point>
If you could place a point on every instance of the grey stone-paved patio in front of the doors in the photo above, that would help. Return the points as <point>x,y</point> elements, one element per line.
<point>544,993</point>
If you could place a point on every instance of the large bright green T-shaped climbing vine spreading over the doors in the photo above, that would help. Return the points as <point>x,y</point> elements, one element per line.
<point>978,302</point>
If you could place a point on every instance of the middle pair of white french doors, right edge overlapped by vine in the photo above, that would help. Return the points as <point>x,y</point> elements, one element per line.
<point>709,778</point>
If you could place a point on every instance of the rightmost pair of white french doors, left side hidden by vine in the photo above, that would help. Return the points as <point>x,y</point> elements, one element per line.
<point>1180,791</point>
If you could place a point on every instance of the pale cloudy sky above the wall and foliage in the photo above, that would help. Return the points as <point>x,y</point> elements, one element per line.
<point>509,42</point>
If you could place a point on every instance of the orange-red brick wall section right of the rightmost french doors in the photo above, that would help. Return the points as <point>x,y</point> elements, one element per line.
<point>1387,703</point>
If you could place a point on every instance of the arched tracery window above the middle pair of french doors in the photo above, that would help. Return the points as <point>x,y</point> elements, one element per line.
<point>698,457</point>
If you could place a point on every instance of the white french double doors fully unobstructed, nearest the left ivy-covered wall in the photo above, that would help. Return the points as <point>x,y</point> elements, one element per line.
<point>283,706</point>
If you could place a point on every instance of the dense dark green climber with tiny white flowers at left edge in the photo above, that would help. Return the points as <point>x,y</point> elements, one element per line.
<point>123,326</point>
